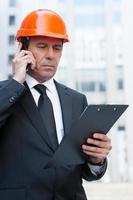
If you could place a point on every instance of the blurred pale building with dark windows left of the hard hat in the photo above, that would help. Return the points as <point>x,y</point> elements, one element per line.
<point>8,24</point>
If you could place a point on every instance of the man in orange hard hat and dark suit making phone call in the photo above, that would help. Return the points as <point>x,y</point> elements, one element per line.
<point>26,145</point>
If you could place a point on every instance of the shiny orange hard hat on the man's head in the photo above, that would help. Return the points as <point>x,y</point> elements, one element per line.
<point>43,22</point>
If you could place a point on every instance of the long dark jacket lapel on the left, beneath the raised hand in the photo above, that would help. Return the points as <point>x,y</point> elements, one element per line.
<point>33,114</point>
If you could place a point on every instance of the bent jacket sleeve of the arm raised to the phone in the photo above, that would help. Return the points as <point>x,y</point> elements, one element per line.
<point>10,92</point>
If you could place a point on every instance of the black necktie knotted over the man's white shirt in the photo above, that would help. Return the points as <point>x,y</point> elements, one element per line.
<point>46,111</point>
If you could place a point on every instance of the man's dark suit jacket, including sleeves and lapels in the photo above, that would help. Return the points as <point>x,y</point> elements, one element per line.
<point>25,148</point>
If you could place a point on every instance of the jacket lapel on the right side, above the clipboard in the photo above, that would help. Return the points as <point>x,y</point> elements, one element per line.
<point>66,105</point>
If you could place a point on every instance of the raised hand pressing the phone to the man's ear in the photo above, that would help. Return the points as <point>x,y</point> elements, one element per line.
<point>21,60</point>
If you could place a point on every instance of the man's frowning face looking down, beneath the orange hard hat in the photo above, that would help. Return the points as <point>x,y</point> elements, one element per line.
<point>47,53</point>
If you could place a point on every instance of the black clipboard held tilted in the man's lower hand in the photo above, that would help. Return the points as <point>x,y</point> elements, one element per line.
<point>95,118</point>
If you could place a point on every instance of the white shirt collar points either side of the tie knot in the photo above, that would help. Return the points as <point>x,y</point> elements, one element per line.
<point>31,82</point>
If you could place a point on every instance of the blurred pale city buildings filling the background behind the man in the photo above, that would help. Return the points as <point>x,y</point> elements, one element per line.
<point>93,62</point>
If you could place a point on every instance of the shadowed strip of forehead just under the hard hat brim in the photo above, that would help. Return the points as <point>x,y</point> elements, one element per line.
<point>41,39</point>
